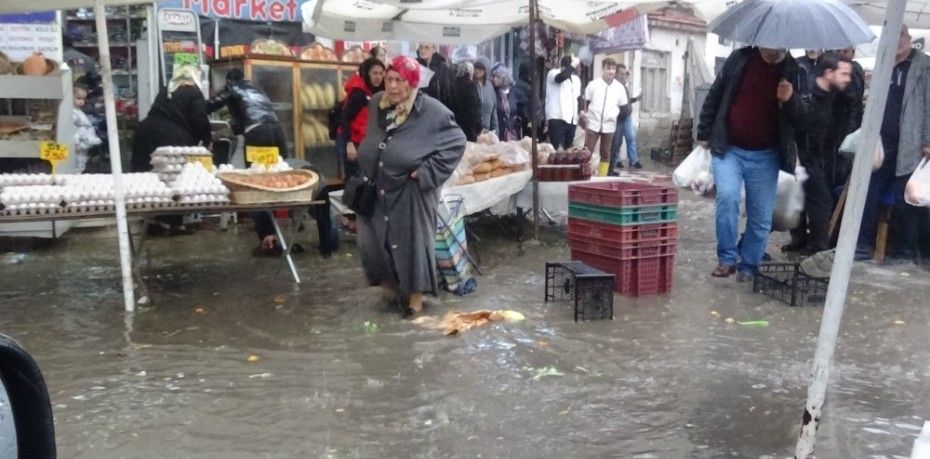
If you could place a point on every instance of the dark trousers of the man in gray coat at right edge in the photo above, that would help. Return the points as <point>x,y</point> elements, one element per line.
<point>906,217</point>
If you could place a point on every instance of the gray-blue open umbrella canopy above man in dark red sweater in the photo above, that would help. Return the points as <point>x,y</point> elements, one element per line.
<point>825,24</point>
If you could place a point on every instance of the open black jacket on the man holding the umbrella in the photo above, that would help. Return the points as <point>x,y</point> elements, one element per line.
<point>791,117</point>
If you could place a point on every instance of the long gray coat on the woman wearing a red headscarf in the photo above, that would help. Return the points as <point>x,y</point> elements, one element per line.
<point>396,243</point>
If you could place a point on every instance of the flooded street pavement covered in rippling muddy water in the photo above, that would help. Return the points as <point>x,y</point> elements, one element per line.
<point>666,378</point>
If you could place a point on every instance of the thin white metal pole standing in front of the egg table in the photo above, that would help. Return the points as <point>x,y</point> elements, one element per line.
<point>116,162</point>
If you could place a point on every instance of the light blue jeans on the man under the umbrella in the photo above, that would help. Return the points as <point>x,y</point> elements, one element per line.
<point>759,171</point>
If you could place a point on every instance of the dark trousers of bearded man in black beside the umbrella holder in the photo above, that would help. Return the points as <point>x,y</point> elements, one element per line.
<point>818,207</point>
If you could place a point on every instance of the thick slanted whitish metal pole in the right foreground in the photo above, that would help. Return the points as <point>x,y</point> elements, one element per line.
<point>849,230</point>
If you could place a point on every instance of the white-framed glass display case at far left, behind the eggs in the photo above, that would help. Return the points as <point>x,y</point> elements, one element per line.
<point>42,105</point>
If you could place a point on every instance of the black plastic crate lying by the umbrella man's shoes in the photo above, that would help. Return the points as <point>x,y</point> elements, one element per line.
<point>785,282</point>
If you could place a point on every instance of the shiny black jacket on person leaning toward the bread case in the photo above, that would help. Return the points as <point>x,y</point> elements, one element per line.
<point>247,104</point>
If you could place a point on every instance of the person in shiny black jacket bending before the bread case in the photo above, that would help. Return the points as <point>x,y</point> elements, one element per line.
<point>254,118</point>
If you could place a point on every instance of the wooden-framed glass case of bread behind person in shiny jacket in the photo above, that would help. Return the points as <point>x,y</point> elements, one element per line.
<point>303,93</point>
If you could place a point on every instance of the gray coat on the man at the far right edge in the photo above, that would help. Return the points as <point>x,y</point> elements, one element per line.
<point>915,115</point>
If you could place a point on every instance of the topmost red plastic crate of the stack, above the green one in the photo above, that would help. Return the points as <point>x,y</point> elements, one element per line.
<point>622,194</point>
